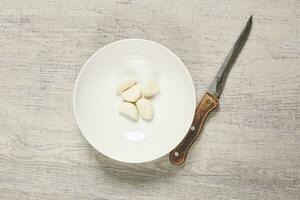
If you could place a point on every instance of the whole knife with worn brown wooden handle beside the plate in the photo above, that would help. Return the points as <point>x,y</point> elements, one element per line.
<point>210,100</point>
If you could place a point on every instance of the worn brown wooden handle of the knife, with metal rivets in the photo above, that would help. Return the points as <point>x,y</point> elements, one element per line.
<point>207,104</point>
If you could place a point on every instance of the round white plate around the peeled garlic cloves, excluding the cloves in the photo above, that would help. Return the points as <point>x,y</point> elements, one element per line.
<point>96,103</point>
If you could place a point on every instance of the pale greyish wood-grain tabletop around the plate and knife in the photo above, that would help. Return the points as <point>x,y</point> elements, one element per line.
<point>249,149</point>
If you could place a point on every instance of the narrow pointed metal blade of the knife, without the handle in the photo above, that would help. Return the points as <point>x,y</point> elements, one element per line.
<point>217,85</point>
